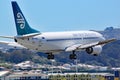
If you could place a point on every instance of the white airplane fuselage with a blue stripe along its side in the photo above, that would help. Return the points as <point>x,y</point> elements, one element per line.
<point>59,41</point>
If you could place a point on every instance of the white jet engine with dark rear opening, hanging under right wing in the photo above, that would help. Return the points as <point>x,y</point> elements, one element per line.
<point>94,50</point>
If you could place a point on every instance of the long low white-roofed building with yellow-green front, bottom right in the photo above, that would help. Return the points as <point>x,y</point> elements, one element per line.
<point>80,76</point>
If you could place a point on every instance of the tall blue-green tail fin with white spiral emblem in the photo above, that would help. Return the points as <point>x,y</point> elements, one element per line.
<point>22,25</point>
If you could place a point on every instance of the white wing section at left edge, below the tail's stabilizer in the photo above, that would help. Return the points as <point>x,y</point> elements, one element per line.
<point>6,44</point>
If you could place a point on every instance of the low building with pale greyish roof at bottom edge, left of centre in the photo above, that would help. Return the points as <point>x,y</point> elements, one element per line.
<point>27,76</point>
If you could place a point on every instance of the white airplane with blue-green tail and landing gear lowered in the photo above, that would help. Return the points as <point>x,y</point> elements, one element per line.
<point>55,42</point>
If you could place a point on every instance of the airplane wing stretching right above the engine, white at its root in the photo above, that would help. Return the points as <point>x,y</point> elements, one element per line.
<point>84,46</point>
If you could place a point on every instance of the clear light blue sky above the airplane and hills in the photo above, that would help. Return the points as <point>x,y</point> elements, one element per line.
<point>61,15</point>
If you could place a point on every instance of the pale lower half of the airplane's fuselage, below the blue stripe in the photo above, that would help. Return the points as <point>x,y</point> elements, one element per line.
<point>45,45</point>
